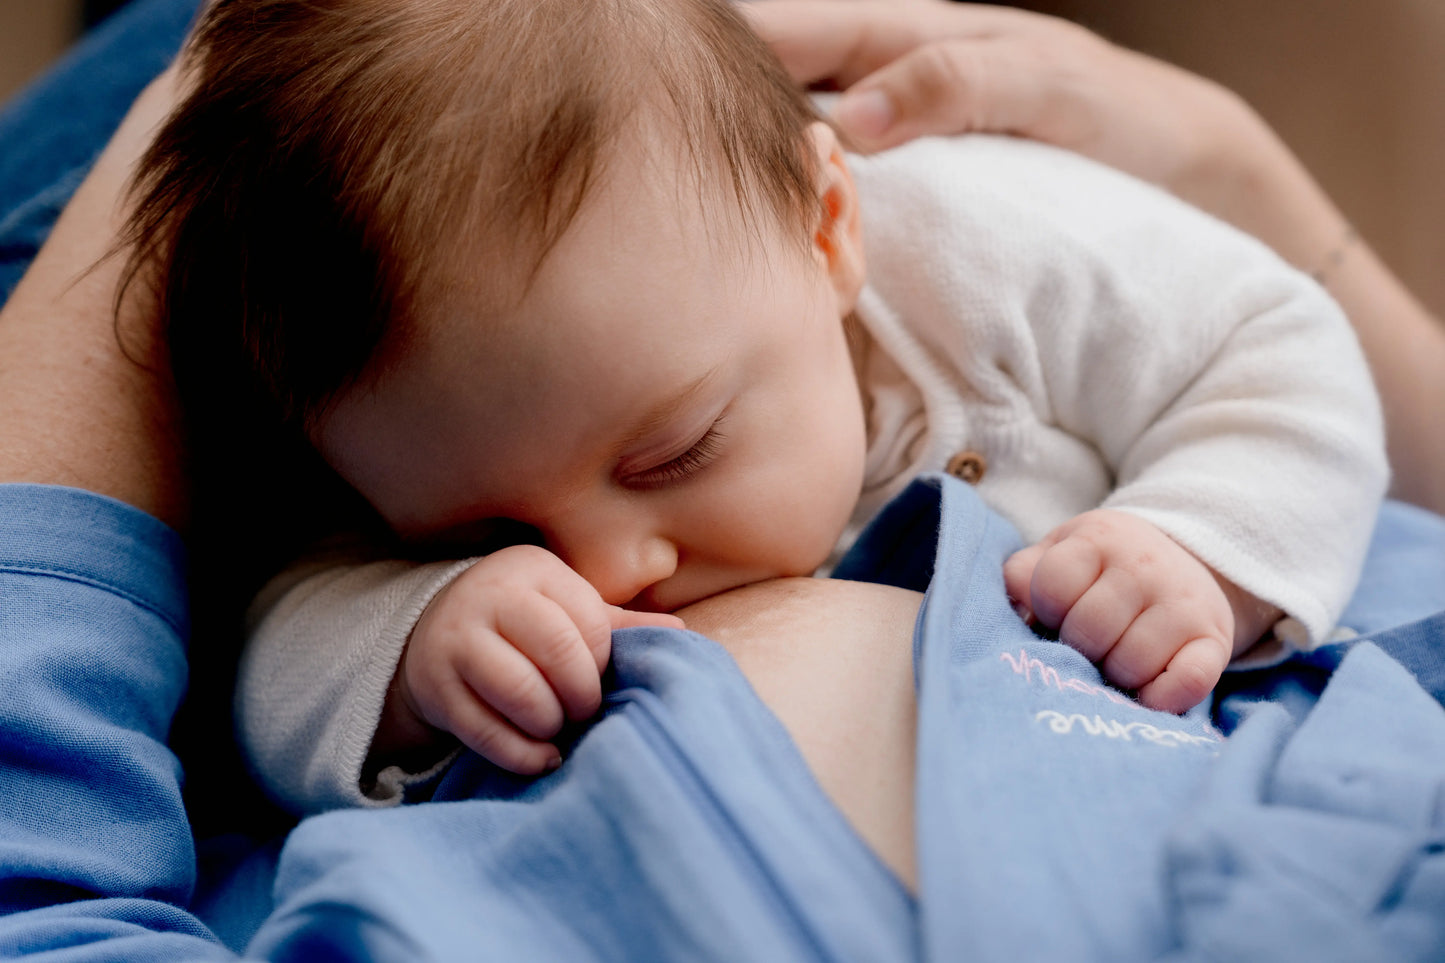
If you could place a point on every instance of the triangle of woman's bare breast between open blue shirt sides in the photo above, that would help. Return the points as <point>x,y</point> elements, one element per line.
<point>834,662</point>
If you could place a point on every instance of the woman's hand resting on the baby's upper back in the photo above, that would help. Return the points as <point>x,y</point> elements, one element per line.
<point>928,67</point>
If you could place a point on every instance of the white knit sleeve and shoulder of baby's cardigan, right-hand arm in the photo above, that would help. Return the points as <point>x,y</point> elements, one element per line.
<point>1165,365</point>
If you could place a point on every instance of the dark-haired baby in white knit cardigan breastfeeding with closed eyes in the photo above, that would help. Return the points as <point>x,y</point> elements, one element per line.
<point>596,274</point>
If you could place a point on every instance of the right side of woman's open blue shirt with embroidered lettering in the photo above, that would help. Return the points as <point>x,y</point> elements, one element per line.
<point>1057,823</point>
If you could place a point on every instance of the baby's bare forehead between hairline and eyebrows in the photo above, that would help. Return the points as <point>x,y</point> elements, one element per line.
<point>647,274</point>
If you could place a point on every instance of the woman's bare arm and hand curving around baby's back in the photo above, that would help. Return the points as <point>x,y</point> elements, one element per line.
<point>934,67</point>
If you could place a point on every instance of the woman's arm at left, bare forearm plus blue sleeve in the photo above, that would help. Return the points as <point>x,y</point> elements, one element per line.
<point>93,617</point>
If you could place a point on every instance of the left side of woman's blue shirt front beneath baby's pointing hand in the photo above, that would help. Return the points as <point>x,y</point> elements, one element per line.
<point>683,826</point>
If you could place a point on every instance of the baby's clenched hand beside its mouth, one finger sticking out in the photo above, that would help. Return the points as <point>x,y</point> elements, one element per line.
<point>504,657</point>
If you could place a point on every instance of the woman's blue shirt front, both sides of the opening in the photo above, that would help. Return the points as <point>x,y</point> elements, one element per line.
<point>1058,821</point>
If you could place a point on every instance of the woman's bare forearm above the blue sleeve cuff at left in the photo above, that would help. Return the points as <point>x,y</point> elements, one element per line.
<point>85,381</point>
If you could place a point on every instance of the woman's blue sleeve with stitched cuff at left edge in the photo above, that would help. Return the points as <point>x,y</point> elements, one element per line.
<point>96,855</point>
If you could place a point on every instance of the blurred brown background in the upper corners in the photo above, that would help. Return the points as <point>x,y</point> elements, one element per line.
<point>1358,87</point>
